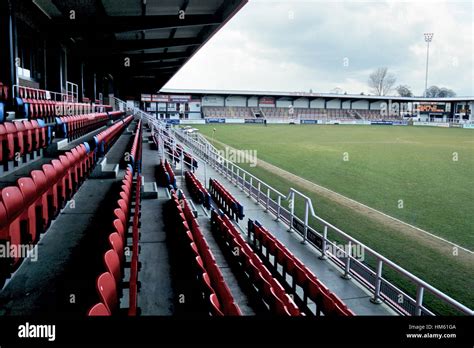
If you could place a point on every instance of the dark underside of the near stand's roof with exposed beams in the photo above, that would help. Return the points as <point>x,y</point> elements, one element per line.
<point>157,36</point>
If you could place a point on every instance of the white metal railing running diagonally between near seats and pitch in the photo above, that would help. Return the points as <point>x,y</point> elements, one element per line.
<point>271,199</point>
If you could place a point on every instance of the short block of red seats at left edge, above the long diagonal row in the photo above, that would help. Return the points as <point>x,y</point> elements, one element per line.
<point>20,138</point>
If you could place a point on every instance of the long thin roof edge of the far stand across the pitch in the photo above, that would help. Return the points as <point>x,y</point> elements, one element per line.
<point>294,95</point>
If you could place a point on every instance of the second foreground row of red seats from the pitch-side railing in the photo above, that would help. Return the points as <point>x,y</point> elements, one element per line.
<point>267,288</point>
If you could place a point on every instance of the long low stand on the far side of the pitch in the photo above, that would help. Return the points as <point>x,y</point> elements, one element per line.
<point>290,107</point>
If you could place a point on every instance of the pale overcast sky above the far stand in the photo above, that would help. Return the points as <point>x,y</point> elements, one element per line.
<point>298,45</point>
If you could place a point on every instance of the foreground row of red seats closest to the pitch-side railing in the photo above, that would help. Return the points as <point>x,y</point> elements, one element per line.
<point>266,245</point>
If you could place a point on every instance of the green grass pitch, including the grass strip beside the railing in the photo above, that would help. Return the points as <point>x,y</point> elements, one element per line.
<point>421,175</point>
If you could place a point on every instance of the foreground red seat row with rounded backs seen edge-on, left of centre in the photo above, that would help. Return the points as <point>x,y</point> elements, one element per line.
<point>109,283</point>
